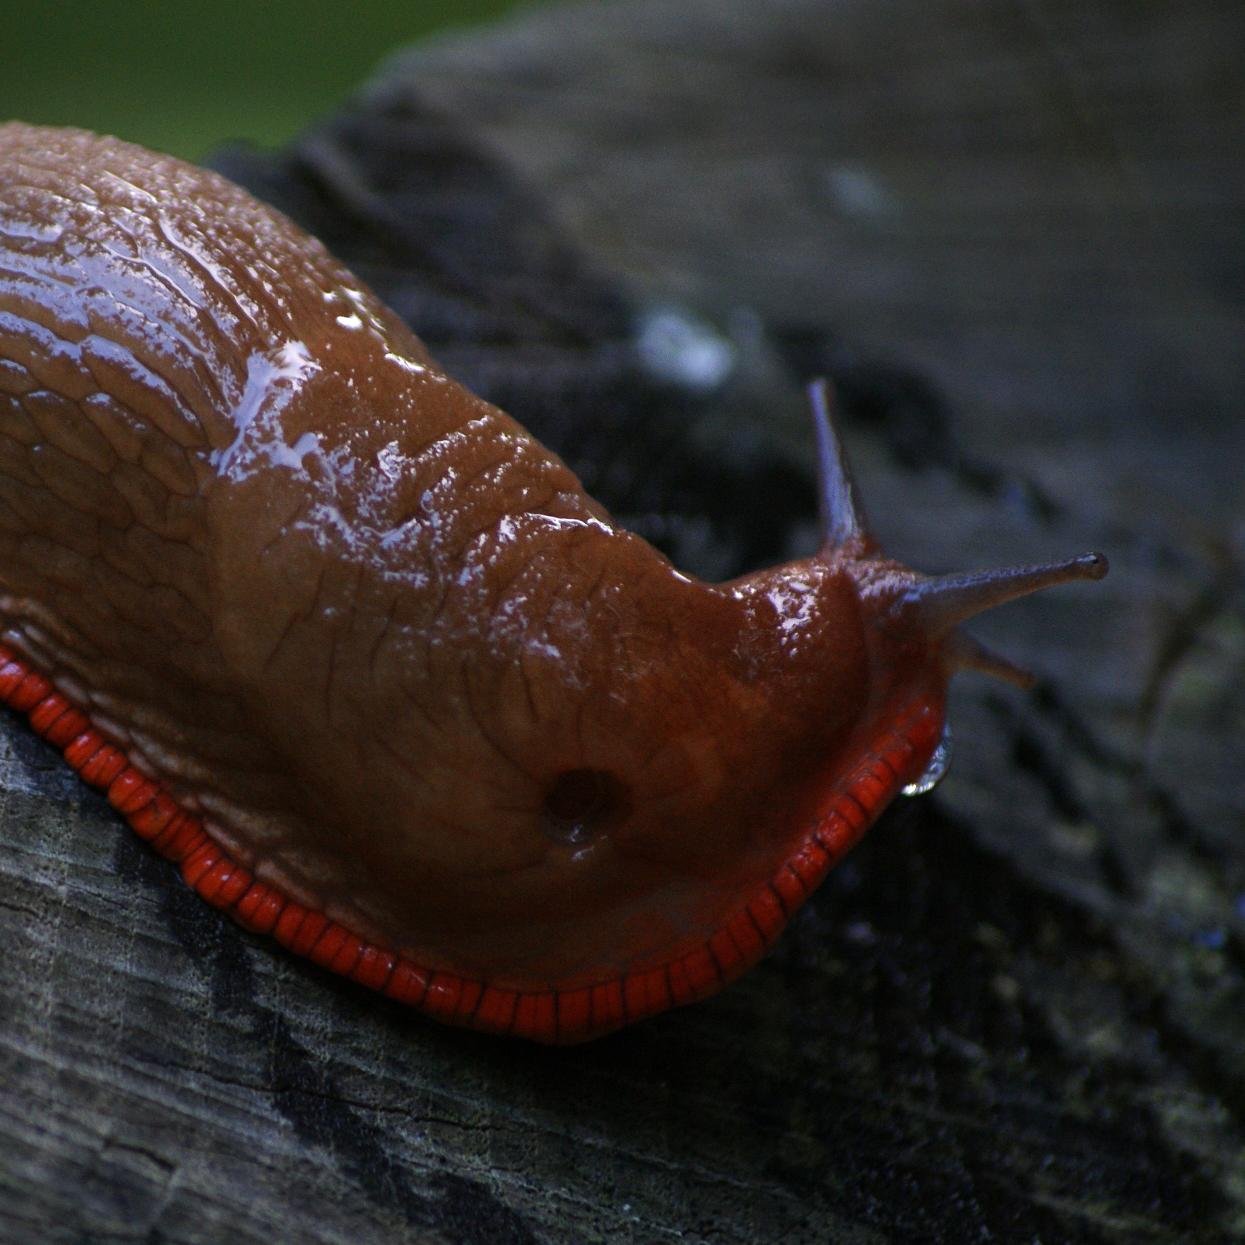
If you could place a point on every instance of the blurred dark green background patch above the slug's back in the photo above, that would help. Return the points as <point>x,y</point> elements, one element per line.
<point>186,77</point>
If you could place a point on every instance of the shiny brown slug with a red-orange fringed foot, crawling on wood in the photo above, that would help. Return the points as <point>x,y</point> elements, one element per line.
<point>357,653</point>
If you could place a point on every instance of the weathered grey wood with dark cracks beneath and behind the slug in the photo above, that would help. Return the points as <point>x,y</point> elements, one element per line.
<point>1014,236</point>
